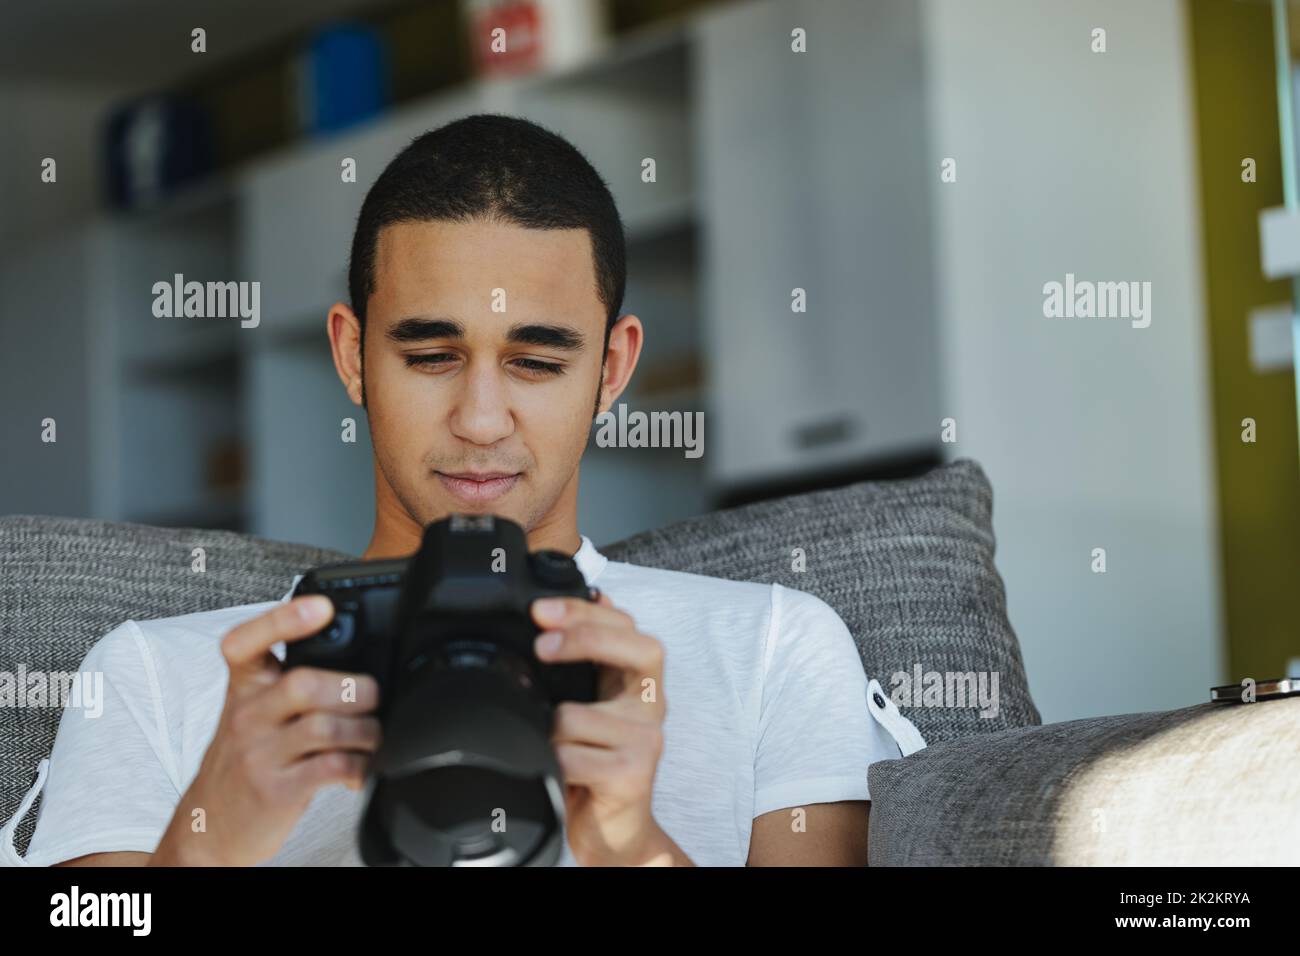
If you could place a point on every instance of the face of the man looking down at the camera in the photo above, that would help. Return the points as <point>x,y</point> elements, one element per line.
<point>482,366</point>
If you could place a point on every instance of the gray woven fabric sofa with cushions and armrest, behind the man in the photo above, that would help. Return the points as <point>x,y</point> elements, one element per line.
<point>908,565</point>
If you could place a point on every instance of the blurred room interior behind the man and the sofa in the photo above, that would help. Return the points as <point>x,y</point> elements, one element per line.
<point>922,171</point>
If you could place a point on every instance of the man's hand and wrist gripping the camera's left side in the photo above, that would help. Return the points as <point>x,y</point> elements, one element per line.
<point>283,736</point>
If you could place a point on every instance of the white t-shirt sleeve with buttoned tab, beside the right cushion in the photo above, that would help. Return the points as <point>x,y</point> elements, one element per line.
<point>816,733</point>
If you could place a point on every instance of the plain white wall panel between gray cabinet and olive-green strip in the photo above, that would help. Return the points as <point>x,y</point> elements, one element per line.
<point>1094,434</point>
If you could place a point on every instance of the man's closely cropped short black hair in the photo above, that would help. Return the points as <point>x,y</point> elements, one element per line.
<point>501,168</point>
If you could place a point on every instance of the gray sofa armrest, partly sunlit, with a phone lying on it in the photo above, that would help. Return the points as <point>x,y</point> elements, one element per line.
<point>1203,785</point>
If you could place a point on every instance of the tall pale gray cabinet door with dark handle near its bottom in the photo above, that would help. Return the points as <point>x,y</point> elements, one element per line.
<point>825,197</point>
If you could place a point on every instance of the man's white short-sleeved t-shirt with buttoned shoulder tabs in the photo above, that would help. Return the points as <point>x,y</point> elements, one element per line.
<point>769,708</point>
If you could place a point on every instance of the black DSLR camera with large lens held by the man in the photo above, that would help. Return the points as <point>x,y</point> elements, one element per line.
<point>466,775</point>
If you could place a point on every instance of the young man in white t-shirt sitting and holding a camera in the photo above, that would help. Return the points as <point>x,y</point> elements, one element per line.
<point>484,335</point>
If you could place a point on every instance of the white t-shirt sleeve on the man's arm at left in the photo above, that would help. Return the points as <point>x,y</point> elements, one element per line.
<point>112,780</point>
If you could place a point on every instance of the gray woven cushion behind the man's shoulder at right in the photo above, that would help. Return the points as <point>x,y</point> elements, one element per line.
<point>908,565</point>
